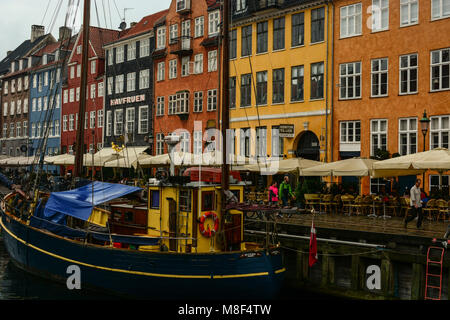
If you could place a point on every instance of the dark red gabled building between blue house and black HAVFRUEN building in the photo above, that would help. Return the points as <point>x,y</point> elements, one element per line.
<point>94,117</point>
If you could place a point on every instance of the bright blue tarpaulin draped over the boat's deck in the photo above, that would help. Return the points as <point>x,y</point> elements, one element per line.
<point>79,202</point>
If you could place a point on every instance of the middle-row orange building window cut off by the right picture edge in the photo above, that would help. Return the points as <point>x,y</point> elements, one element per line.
<point>440,69</point>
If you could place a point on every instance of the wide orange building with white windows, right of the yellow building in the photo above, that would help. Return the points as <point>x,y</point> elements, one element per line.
<point>391,62</point>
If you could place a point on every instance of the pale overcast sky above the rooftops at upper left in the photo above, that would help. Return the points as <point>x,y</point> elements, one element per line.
<point>19,15</point>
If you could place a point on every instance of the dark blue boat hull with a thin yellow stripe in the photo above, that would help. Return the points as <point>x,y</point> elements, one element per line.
<point>148,275</point>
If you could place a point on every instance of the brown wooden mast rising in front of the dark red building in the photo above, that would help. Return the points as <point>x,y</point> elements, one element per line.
<point>79,146</point>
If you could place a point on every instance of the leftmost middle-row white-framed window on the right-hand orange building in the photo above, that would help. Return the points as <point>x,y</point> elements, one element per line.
<point>350,80</point>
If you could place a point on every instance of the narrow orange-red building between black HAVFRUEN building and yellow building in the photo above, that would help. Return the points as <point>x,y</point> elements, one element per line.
<point>186,61</point>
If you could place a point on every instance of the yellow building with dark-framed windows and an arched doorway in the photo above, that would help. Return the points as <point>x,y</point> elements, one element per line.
<point>280,78</point>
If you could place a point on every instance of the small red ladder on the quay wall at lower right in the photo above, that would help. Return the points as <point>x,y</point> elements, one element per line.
<point>435,257</point>
